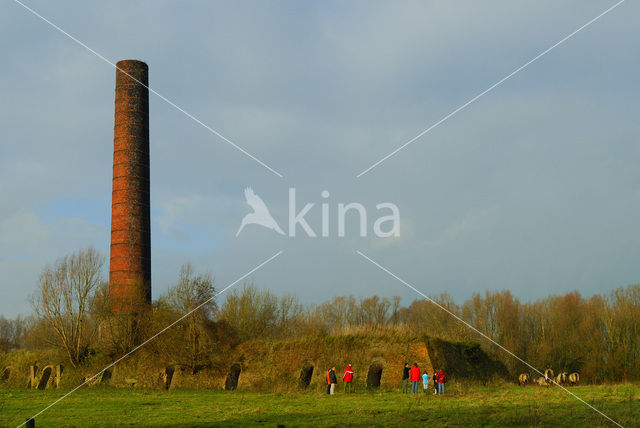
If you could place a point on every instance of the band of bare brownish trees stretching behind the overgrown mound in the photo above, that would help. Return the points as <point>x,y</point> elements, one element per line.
<point>598,336</point>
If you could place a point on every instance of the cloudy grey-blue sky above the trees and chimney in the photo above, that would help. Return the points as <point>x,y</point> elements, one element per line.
<point>534,187</point>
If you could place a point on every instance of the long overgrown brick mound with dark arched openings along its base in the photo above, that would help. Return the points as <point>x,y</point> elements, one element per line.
<point>275,365</point>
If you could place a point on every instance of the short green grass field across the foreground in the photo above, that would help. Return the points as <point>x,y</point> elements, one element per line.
<point>472,406</point>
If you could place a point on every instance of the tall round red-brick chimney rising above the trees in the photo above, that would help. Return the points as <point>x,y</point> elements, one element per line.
<point>130,264</point>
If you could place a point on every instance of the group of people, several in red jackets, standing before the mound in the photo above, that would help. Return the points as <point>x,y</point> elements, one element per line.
<point>409,374</point>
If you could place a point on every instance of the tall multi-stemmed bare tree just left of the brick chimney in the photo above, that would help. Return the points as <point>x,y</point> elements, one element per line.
<point>63,296</point>
